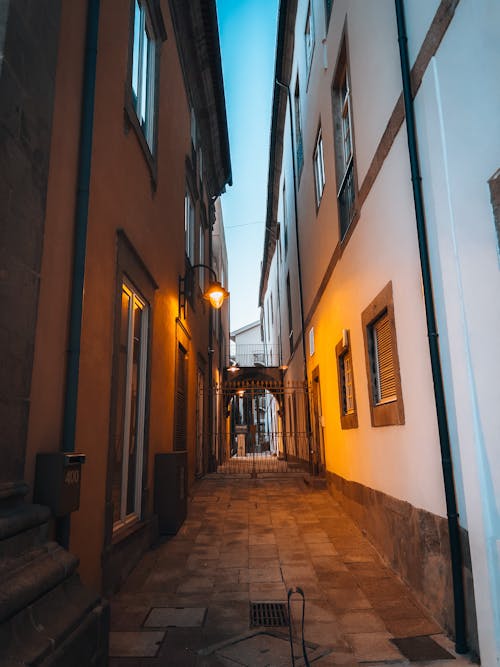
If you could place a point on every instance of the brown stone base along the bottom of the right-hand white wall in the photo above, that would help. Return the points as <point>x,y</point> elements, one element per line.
<point>416,545</point>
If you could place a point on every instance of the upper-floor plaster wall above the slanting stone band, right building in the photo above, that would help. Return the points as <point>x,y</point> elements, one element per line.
<point>376,85</point>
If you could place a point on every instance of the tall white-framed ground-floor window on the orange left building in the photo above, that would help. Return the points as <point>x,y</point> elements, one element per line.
<point>130,394</point>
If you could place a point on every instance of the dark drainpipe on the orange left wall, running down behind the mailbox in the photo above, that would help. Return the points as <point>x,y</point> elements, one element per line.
<point>80,243</point>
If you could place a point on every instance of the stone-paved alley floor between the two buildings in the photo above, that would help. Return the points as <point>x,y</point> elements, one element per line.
<point>249,540</point>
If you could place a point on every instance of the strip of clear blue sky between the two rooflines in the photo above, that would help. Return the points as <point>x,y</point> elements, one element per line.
<point>247,36</point>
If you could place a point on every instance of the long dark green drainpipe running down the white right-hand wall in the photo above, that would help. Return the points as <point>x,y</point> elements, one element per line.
<point>437,376</point>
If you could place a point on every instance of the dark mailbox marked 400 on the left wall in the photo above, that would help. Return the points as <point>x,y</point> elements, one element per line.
<point>57,481</point>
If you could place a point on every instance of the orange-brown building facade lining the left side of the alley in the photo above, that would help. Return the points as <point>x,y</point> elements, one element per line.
<point>114,150</point>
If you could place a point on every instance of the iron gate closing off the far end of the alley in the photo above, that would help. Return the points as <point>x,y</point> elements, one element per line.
<point>261,427</point>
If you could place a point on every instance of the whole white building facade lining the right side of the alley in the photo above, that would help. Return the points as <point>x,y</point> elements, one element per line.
<point>360,263</point>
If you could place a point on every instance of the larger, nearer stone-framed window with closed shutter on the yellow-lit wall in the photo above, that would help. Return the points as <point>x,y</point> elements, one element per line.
<point>384,380</point>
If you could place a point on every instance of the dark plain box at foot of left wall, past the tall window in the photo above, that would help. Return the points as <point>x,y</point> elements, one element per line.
<point>170,491</point>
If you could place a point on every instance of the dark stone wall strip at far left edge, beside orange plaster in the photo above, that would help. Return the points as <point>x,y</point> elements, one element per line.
<point>29,35</point>
